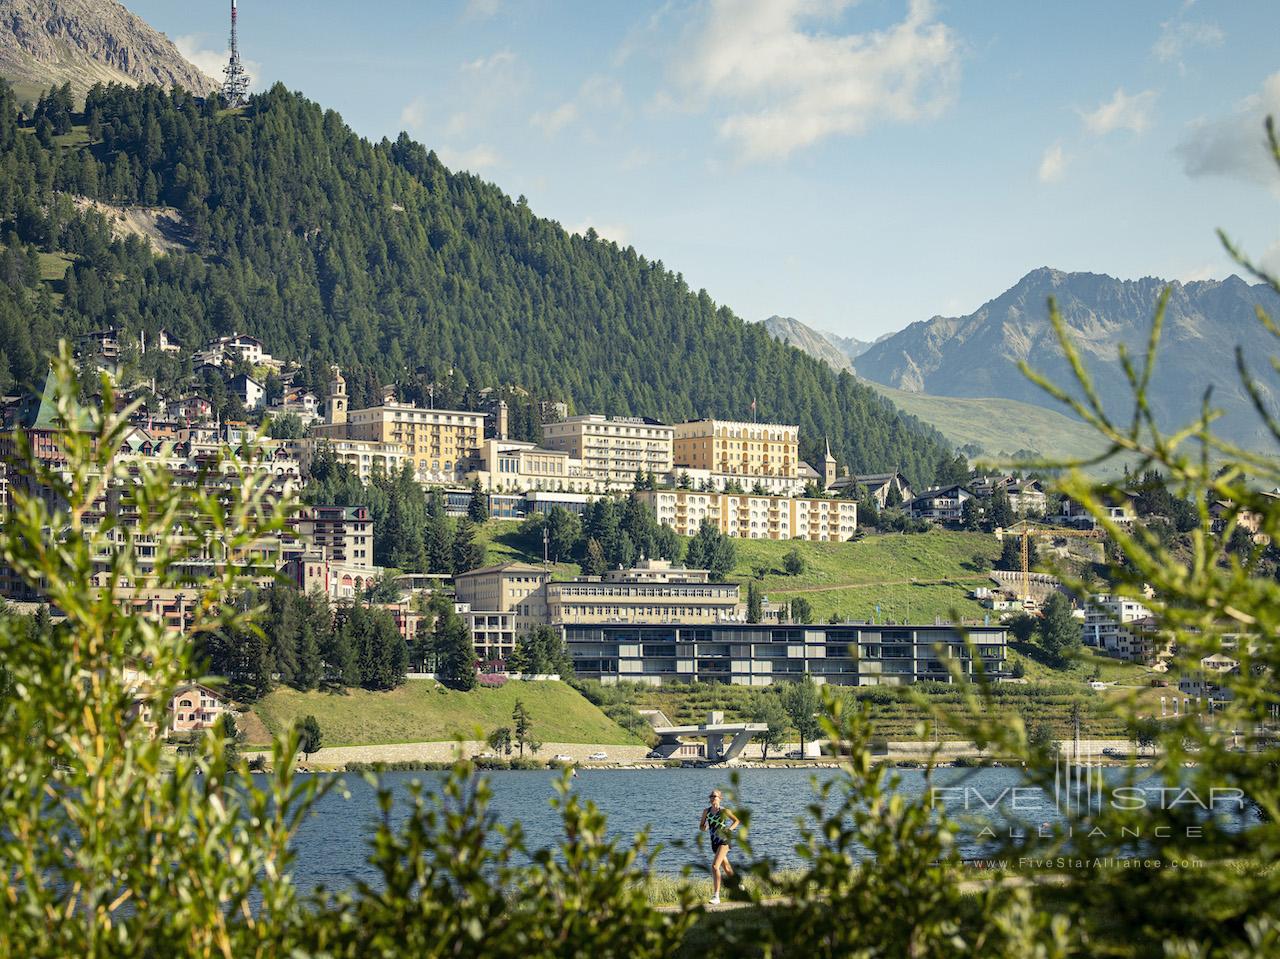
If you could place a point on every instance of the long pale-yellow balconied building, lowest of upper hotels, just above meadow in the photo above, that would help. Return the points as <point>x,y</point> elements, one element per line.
<point>755,517</point>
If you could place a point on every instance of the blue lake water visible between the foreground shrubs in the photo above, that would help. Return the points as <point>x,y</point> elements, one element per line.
<point>333,843</point>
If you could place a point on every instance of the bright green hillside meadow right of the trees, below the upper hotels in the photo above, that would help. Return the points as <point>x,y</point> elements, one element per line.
<point>916,578</point>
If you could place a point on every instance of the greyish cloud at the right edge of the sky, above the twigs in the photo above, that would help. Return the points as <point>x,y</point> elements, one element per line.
<point>1235,145</point>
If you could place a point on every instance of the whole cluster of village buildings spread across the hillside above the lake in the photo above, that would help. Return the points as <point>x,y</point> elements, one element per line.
<point>656,623</point>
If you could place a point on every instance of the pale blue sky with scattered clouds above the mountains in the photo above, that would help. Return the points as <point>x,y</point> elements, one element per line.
<point>858,166</point>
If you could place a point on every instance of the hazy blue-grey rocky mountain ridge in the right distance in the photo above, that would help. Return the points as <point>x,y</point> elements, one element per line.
<point>979,355</point>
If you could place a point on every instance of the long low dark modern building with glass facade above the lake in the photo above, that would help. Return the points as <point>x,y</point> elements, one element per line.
<point>849,655</point>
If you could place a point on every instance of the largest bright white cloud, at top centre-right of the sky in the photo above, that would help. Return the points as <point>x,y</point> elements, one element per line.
<point>788,84</point>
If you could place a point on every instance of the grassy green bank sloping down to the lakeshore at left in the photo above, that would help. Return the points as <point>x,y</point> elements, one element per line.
<point>426,713</point>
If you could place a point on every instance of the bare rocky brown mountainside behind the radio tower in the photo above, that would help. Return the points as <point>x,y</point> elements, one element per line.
<point>83,43</point>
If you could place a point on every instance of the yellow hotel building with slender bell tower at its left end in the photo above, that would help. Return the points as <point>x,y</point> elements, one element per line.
<point>438,444</point>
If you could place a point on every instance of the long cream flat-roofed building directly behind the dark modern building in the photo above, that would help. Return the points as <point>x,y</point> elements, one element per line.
<point>652,592</point>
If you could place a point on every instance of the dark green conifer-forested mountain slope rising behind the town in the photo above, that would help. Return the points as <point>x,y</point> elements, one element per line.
<point>333,249</point>
